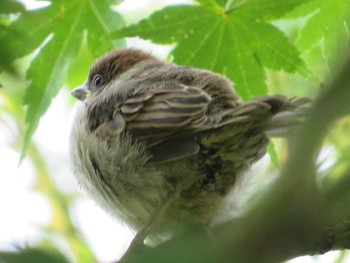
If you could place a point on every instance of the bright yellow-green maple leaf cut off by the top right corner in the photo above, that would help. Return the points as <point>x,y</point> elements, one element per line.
<point>329,24</point>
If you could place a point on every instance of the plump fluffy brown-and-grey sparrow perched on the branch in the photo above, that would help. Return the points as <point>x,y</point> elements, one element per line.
<point>159,146</point>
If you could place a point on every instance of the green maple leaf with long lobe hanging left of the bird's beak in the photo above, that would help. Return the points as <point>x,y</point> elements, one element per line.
<point>56,33</point>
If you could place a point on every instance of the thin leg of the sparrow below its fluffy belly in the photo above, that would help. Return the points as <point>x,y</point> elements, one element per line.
<point>141,235</point>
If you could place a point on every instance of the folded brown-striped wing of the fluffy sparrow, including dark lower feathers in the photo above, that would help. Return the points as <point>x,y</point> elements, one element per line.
<point>161,118</point>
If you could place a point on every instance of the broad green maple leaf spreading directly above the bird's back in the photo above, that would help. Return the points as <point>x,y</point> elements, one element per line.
<point>233,44</point>
